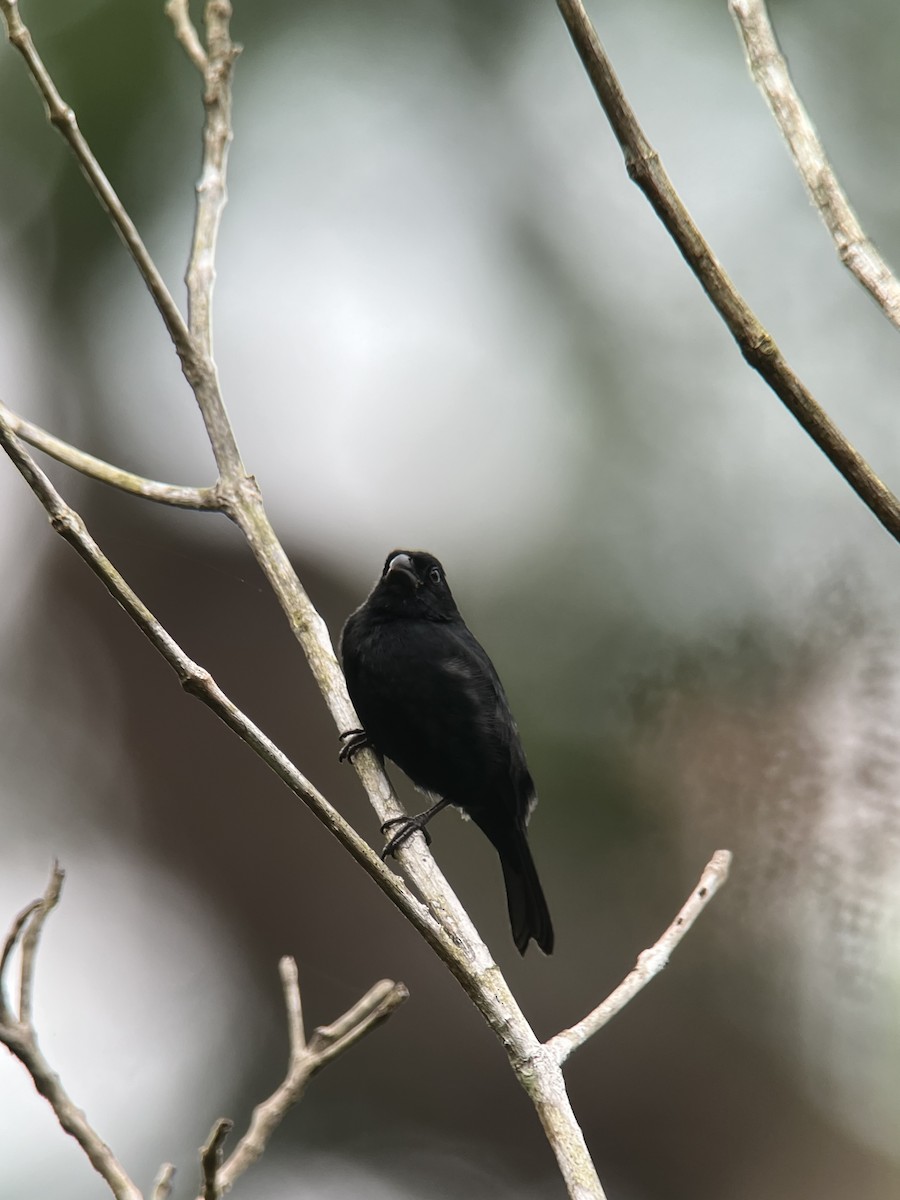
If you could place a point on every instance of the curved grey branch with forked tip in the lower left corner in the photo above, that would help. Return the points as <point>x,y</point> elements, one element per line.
<point>19,1036</point>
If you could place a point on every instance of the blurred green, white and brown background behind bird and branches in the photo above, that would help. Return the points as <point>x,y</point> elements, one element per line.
<point>445,319</point>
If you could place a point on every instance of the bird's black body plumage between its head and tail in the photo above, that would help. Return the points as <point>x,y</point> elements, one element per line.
<point>430,700</point>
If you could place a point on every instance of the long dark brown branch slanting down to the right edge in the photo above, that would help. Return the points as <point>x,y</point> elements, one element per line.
<point>755,344</point>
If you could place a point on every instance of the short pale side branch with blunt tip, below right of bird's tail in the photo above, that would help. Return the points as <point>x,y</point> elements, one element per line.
<point>650,963</point>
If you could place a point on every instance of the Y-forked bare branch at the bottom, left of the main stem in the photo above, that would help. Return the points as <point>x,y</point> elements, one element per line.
<point>304,1061</point>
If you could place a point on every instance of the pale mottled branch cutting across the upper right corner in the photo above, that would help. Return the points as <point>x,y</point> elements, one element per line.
<point>771,74</point>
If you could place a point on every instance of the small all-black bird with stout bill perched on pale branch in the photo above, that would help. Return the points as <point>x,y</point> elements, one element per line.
<point>430,700</point>
